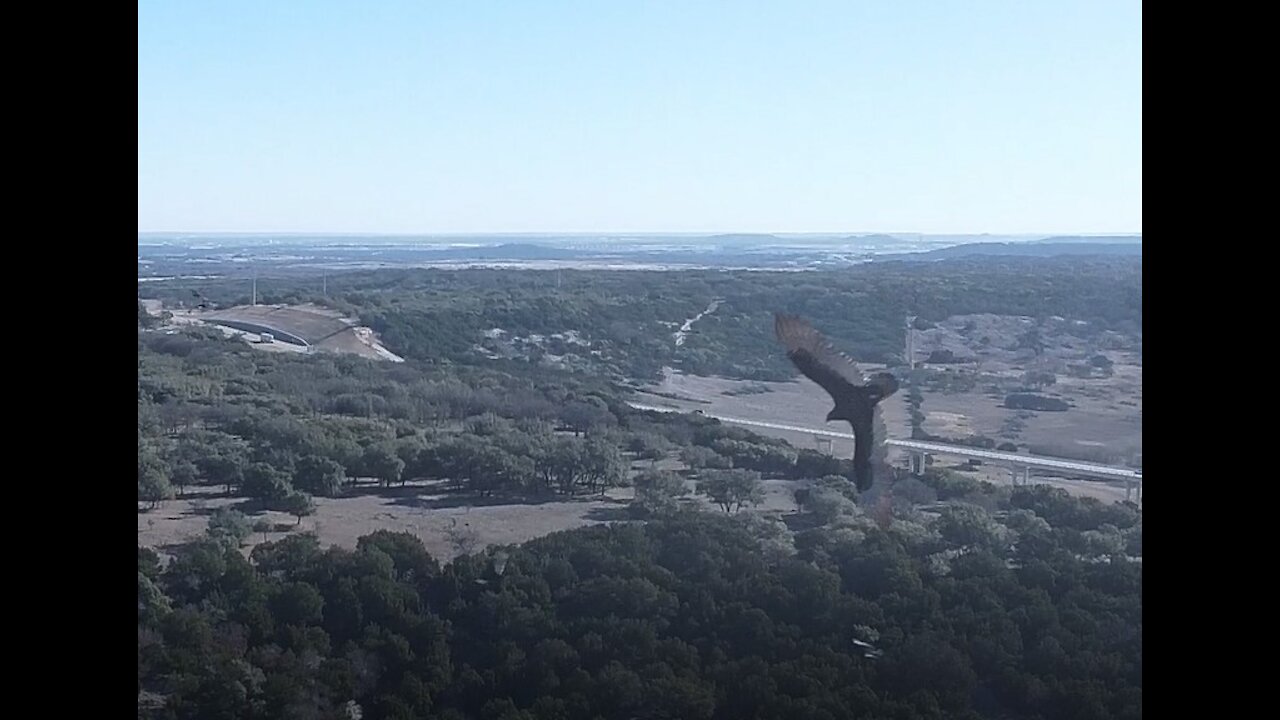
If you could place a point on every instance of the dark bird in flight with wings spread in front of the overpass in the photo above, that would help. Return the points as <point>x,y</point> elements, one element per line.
<point>857,397</point>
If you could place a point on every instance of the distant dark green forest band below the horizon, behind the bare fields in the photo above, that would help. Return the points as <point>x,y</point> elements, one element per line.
<point>627,320</point>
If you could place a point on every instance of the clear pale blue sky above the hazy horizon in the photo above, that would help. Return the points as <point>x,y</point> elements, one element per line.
<point>620,116</point>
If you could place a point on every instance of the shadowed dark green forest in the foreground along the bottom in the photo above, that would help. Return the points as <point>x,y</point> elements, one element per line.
<point>1032,609</point>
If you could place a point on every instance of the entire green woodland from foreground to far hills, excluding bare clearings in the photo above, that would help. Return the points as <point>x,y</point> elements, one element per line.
<point>924,598</point>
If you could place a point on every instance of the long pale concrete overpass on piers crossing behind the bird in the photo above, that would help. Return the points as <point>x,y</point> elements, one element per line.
<point>918,452</point>
